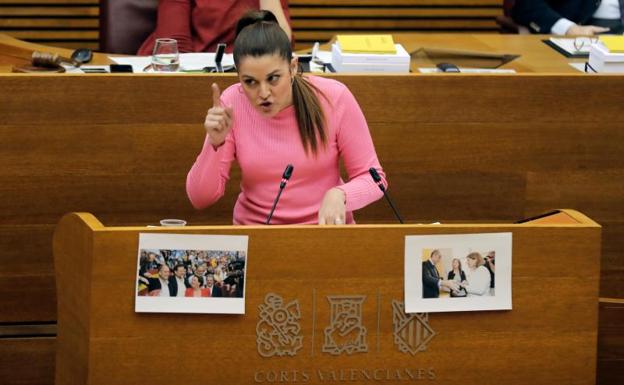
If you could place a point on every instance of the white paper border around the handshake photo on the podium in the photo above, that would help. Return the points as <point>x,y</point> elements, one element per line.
<point>499,242</point>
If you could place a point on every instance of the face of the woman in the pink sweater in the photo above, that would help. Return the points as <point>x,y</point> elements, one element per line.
<point>267,82</point>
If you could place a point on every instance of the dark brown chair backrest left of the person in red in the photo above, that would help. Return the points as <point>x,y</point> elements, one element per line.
<point>125,24</point>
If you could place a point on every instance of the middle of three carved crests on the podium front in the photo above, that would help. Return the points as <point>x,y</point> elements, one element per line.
<point>345,332</point>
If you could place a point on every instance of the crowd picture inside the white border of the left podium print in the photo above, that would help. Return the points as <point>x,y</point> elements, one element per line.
<point>191,273</point>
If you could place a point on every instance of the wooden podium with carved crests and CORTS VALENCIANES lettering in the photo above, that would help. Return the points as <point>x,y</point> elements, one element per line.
<point>297,271</point>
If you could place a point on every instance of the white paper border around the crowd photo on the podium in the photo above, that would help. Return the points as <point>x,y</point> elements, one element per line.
<point>184,304</point>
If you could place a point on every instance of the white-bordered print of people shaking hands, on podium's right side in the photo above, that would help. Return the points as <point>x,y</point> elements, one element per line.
<point>463,272</point>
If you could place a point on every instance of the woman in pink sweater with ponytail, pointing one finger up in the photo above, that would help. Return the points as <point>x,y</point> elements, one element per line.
<point>275,117</point>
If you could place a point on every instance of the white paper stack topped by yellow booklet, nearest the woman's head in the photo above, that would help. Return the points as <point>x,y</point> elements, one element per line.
<point>369,53</point>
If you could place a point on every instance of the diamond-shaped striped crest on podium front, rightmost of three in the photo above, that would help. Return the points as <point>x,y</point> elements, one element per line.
<point>412,332</point>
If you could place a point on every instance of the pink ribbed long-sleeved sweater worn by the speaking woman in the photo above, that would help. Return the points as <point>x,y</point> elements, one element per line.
<point>264,146</point>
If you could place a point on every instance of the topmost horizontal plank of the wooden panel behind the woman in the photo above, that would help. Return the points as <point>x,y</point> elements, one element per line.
<point>415,99</point>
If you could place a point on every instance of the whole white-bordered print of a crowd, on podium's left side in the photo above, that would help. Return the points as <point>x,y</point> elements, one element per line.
<point>179,273</point>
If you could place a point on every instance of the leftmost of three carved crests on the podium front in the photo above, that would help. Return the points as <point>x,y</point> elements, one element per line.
<point>278,329</point>
